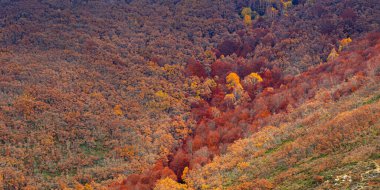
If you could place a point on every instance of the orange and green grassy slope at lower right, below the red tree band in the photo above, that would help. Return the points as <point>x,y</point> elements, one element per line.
<point>324,143</point>
